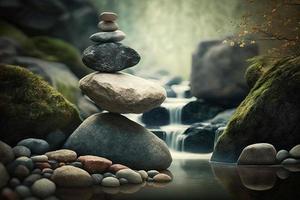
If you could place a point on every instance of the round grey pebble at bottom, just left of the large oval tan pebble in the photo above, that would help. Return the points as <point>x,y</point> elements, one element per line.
<point>43,188</point>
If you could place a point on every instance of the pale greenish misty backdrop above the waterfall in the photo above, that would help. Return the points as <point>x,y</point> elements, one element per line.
<point>166,32</point>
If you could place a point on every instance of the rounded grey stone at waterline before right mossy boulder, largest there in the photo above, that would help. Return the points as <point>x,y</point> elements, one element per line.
<point>258,154</point>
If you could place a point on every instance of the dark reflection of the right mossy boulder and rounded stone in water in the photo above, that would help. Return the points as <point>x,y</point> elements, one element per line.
<point>259,182</point>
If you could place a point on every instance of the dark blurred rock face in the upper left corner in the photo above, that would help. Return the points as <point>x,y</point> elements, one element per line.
<point>73,21</point>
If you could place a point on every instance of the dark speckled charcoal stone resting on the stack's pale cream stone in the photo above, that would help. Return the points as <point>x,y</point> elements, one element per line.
<point>110,57</point>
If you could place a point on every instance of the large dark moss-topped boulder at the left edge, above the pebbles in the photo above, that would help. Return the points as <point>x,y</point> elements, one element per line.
<point>29,107</point>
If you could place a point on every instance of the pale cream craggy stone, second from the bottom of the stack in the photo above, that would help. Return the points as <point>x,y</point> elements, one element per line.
<point>122,93</point>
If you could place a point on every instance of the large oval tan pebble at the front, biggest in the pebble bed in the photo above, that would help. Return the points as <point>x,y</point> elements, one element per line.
<point>69,176</point>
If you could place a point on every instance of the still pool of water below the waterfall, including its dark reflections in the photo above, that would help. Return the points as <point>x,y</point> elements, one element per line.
<point>195,178</point>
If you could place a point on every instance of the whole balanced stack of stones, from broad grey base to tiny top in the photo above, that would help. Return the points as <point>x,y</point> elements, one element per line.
<point>112,135</point>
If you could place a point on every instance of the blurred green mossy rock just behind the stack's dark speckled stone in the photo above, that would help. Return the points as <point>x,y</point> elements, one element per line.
<point>63,52</point>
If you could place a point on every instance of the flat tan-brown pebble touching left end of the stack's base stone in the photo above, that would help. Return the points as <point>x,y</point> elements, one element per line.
<point>63,155</point>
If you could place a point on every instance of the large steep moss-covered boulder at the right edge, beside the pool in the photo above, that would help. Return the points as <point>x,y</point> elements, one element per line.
<point>270,113</point>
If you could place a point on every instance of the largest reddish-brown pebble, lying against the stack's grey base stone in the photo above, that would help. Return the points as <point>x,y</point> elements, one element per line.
<point>95,164</point>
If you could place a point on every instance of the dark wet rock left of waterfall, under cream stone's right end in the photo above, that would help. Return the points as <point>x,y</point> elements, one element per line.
<point>156,117</point>
